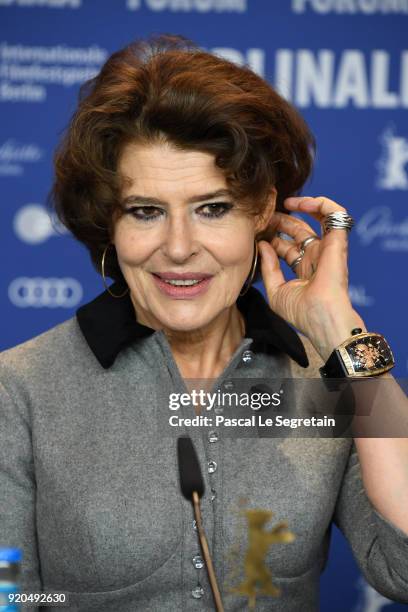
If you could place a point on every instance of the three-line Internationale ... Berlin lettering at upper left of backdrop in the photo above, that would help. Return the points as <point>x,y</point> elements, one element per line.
<point>27,72</point>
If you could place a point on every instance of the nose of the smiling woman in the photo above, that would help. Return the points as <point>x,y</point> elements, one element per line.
<point>179,241</point>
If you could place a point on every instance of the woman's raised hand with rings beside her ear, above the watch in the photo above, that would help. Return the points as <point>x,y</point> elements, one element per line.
<point>317,302</point>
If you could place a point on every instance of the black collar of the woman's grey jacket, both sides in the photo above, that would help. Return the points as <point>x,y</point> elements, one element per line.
<point>109,325</point>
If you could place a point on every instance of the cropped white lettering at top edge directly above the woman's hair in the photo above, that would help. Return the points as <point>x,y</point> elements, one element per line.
<point>183,6</point>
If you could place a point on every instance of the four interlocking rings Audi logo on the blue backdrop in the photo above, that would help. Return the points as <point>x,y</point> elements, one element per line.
<point>41,292</point>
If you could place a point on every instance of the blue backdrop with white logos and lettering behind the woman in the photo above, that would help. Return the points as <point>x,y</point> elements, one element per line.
<point>341,62</point>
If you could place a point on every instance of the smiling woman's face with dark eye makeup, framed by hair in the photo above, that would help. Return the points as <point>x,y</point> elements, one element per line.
<point>184,250</point>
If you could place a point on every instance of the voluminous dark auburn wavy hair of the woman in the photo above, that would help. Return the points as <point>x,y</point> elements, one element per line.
<point>166,89</point>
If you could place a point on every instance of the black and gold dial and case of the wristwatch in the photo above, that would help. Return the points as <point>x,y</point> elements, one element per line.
<point>369,353</point>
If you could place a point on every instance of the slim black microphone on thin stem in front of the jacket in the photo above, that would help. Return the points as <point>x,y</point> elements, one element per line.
<point>192,488</point>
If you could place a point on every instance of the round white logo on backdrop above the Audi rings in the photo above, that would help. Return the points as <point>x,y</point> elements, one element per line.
<point>32,224</point>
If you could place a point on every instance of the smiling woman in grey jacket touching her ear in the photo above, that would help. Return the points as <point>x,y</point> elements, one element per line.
<point>177,173</point>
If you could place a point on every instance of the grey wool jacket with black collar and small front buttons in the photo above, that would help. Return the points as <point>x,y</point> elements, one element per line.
<point>89,480</point>
